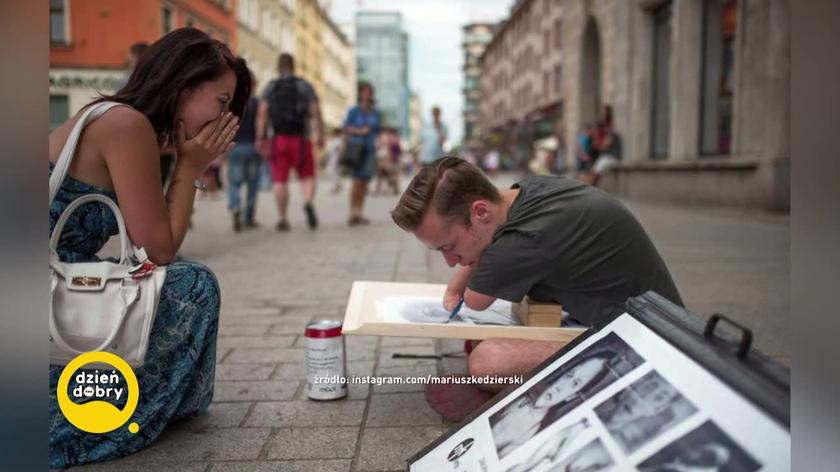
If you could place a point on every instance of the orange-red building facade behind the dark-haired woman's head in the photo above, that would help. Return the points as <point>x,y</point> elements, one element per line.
<point>82,65</point>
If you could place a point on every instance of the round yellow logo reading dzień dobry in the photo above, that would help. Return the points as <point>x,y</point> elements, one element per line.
<point>98,416</point>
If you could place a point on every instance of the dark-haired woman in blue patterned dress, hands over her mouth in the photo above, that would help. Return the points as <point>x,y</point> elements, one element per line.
<point>186,94</point>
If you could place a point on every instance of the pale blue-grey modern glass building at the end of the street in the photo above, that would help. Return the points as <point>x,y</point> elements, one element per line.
<point>382,60</point>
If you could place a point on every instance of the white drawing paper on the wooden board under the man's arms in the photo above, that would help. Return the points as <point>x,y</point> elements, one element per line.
<point>403,309</point>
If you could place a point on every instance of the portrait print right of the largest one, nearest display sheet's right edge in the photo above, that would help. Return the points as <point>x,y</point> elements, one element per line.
<point>644,410</point>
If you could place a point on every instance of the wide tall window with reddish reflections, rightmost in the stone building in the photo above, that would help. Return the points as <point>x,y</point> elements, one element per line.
<point>718,68</point>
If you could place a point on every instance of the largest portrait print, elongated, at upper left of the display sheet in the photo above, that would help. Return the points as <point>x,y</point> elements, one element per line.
<point>561,391</point>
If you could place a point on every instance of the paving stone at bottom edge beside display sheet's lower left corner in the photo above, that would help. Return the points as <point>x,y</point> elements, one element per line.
<point>389,448</point>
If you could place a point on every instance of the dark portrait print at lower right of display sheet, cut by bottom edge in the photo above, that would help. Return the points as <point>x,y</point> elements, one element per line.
<point>706,449</point>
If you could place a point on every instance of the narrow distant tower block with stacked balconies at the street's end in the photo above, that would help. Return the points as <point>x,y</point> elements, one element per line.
<point>476,37</point>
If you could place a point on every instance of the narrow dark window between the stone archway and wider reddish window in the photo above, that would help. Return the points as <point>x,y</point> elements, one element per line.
<point>661,129</point>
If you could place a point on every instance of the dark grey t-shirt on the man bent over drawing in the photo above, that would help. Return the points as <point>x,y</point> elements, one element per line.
<point>573,244</point>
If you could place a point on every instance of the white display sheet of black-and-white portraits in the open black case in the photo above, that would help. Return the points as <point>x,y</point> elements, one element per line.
<point>623,399</point>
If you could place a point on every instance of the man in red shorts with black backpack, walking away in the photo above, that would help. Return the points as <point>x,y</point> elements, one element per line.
<point>290,103</point>
